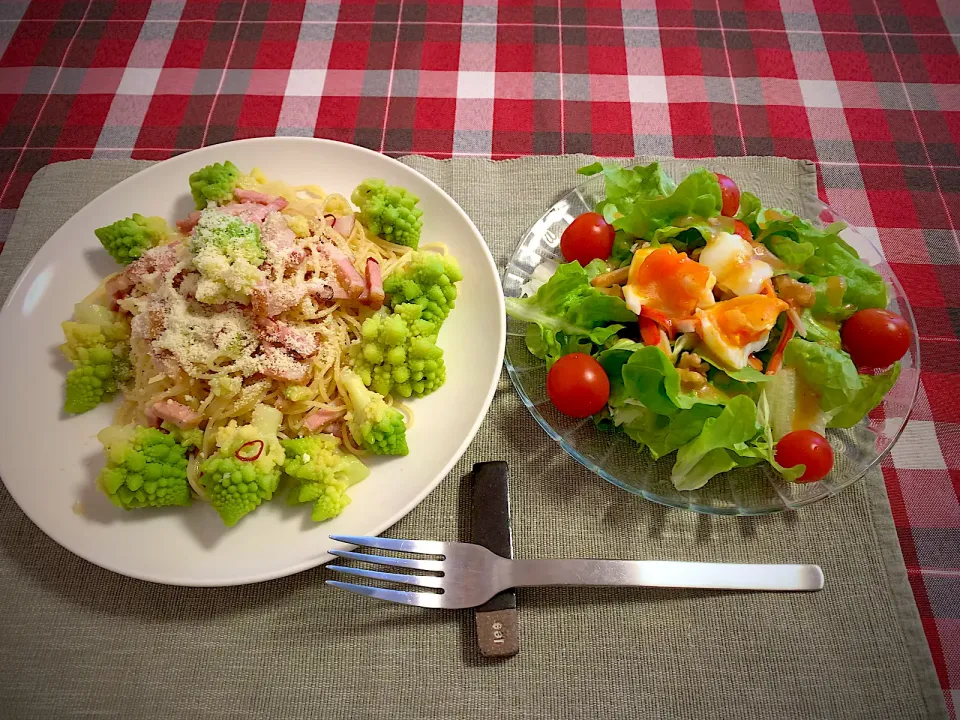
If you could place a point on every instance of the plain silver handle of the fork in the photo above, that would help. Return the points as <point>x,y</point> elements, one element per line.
<point>660,573</point>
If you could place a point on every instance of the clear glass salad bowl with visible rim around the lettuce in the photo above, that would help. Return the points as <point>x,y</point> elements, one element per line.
<point>612,455</point>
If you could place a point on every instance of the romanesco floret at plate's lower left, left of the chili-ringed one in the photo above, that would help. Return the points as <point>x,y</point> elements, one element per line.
<point>145,467</point>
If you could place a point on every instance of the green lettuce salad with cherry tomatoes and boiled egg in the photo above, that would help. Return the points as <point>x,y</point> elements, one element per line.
<point>699,322</point>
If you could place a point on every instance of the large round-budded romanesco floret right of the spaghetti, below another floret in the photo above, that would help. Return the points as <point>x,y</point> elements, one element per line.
<point>397,353</point>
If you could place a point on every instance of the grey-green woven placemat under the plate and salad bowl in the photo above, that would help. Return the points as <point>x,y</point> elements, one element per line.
<point>79,640</point>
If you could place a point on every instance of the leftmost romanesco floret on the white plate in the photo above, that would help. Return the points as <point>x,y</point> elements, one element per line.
<point>97,343</point>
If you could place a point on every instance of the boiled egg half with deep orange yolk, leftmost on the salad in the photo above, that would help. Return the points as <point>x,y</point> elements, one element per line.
<point>668,281</point>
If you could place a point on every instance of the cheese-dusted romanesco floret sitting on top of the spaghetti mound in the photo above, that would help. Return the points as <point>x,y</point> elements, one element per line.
<point>227,253</point>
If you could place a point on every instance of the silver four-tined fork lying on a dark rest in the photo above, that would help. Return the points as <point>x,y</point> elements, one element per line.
<point>471,574</point>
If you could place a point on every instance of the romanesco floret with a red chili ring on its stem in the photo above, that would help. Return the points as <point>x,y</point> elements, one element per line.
<point>245,470</point>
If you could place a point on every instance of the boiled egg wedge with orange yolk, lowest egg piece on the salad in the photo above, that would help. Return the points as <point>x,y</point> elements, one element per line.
<point>734,329</point>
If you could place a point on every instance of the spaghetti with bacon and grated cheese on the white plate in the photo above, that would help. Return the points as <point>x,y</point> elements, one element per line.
<point>303,346</point>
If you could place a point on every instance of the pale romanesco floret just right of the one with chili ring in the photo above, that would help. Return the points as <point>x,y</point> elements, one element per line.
<point>323,472</point>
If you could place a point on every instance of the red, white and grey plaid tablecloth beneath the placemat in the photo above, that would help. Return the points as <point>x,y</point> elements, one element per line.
<point>867,89</point>
